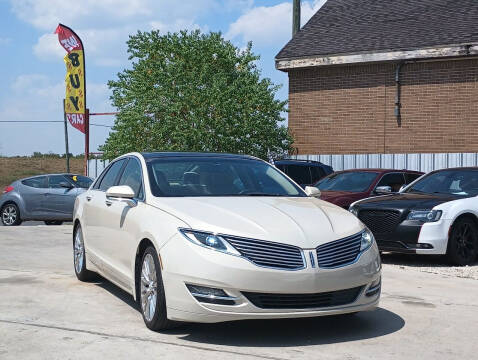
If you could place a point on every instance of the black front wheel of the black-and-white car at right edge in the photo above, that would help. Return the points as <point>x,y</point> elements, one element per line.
<point>463,242</point>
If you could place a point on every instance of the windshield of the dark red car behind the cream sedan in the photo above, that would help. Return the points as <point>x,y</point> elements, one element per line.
<point>353,181</point>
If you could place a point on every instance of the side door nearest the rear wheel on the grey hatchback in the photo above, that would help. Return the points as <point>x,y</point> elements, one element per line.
<point>33,192</point>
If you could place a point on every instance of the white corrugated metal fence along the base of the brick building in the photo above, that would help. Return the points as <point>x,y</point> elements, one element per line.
<point>420,162</point>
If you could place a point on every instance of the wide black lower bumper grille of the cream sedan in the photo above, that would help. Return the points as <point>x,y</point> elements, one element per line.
<point>303,301</point>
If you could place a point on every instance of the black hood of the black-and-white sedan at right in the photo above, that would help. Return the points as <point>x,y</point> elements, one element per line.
<point>407,201</point>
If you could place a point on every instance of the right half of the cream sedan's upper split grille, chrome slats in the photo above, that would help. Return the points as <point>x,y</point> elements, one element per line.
<point>339,252</point>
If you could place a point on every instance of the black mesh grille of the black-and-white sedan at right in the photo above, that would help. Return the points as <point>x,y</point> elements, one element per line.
<point>382,223</point>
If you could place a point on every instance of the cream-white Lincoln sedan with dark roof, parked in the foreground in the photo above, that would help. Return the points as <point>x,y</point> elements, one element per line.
<point>218,237</point>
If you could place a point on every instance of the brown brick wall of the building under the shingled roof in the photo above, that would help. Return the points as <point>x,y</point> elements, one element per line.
<point>350,109</point>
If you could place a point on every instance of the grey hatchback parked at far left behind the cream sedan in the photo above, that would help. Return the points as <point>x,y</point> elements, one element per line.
<point>49,198</point>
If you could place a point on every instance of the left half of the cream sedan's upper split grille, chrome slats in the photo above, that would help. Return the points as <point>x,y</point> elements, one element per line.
<point>269,254</point>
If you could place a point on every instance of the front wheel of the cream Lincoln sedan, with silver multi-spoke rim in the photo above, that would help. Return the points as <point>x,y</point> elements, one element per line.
<point>151,299</point>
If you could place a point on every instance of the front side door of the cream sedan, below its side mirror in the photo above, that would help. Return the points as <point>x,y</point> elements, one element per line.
<point>120,224</point>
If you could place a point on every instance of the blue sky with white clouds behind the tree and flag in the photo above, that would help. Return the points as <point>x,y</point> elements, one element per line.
<point>31,60</point>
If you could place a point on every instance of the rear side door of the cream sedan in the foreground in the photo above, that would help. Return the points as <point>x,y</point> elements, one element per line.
<point>96,213</point>
